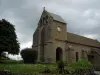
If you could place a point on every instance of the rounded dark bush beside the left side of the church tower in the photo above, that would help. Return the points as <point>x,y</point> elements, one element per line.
<point>29,55</point>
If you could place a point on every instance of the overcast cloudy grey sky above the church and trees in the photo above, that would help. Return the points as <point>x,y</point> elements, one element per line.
<point>82,16</point>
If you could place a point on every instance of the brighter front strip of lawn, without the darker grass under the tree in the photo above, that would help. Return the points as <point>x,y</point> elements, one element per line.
<point>26,68</point>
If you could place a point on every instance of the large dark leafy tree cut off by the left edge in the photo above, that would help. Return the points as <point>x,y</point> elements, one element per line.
<point>8,38</point>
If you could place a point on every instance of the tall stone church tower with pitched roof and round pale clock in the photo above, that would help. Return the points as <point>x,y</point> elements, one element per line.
<point>49,35</point>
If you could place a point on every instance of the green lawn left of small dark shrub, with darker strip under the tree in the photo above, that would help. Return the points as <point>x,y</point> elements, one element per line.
<point>19,66</point>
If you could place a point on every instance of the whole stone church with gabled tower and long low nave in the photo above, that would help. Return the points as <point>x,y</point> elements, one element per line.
<point>53,43</point>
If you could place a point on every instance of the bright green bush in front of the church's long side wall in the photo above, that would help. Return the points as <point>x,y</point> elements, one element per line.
<point>82,67</point>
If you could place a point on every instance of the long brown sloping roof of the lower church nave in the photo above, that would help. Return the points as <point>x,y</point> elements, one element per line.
<point>82,40</point>
